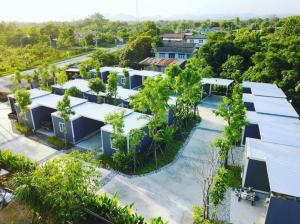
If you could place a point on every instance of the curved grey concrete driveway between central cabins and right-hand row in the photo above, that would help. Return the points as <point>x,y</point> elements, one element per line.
<point>173,190</point>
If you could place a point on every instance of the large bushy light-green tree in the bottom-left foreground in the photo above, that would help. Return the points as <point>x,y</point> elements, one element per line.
<point>58,191</point>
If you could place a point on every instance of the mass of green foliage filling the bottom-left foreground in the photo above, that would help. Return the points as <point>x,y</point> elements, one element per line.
<point>64,190</point>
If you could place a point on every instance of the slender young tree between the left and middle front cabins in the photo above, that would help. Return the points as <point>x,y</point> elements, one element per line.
<point>64,110</point>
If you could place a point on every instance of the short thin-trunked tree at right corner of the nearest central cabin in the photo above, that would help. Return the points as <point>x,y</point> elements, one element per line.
<point>135,138</point>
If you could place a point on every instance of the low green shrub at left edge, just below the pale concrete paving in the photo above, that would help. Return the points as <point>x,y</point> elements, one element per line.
<point>16,162</point>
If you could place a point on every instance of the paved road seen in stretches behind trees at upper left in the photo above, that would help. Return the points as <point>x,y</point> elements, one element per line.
<point>6,84</point>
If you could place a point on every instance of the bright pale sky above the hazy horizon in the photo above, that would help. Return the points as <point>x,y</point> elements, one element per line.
<point>62,10</point>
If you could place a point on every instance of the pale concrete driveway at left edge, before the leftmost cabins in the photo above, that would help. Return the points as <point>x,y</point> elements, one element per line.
<point>18,143</point>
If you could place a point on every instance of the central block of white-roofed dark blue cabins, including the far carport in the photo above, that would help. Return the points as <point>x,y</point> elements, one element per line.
<point>89,115</point>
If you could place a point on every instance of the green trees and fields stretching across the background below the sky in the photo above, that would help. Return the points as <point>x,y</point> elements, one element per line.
<point>263,50</point>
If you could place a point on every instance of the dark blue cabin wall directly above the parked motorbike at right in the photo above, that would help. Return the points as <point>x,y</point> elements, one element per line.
<point>257,176</point>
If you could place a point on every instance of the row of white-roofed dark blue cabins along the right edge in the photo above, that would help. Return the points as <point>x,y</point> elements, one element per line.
<point>272,150</point>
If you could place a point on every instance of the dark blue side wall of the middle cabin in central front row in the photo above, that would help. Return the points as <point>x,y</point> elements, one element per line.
<point>83,127</point>
